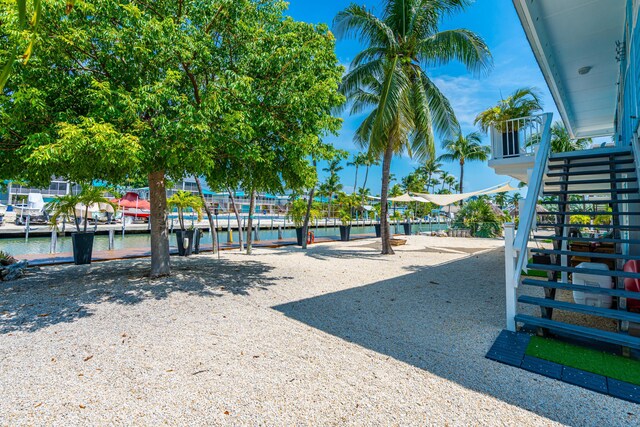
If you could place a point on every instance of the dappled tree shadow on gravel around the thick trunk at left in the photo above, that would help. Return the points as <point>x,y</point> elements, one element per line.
<point>63,294</point>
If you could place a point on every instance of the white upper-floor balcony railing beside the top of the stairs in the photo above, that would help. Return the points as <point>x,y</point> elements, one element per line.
<point>517,137</point>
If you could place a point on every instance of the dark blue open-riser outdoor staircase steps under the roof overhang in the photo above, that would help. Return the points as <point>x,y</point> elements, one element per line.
<point>610,175</point>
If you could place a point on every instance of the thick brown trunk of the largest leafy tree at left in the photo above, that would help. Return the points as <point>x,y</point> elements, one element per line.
<point>159,233</point>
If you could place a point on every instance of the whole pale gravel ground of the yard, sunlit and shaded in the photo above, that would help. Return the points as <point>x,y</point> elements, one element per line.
<point>336,336</point>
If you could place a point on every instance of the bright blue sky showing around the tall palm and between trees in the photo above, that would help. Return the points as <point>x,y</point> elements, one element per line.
<point>514,67</point>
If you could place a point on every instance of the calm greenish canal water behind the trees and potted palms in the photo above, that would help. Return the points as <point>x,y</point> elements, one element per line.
<point>41,245</point>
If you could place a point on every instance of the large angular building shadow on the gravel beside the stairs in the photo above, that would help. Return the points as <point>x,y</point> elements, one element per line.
<point>443,319</point>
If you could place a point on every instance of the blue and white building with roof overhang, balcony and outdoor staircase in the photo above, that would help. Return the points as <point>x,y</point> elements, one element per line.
<point>589,54</point>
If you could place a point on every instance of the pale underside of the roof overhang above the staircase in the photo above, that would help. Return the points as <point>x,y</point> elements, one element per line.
<point>569,35</point>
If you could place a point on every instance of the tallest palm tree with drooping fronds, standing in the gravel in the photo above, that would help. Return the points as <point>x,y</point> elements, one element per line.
<point>389,78</point>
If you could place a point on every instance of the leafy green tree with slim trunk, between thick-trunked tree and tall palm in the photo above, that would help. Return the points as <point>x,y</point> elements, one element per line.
<point>290,87</point>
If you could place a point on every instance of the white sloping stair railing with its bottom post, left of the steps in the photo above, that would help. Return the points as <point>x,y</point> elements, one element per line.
<point>516,248</point>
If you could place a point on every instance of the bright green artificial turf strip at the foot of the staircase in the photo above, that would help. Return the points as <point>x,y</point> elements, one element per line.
<point>597,362</point>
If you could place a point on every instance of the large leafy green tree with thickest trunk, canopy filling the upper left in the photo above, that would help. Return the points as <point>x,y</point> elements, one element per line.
<point>167,83</point>
